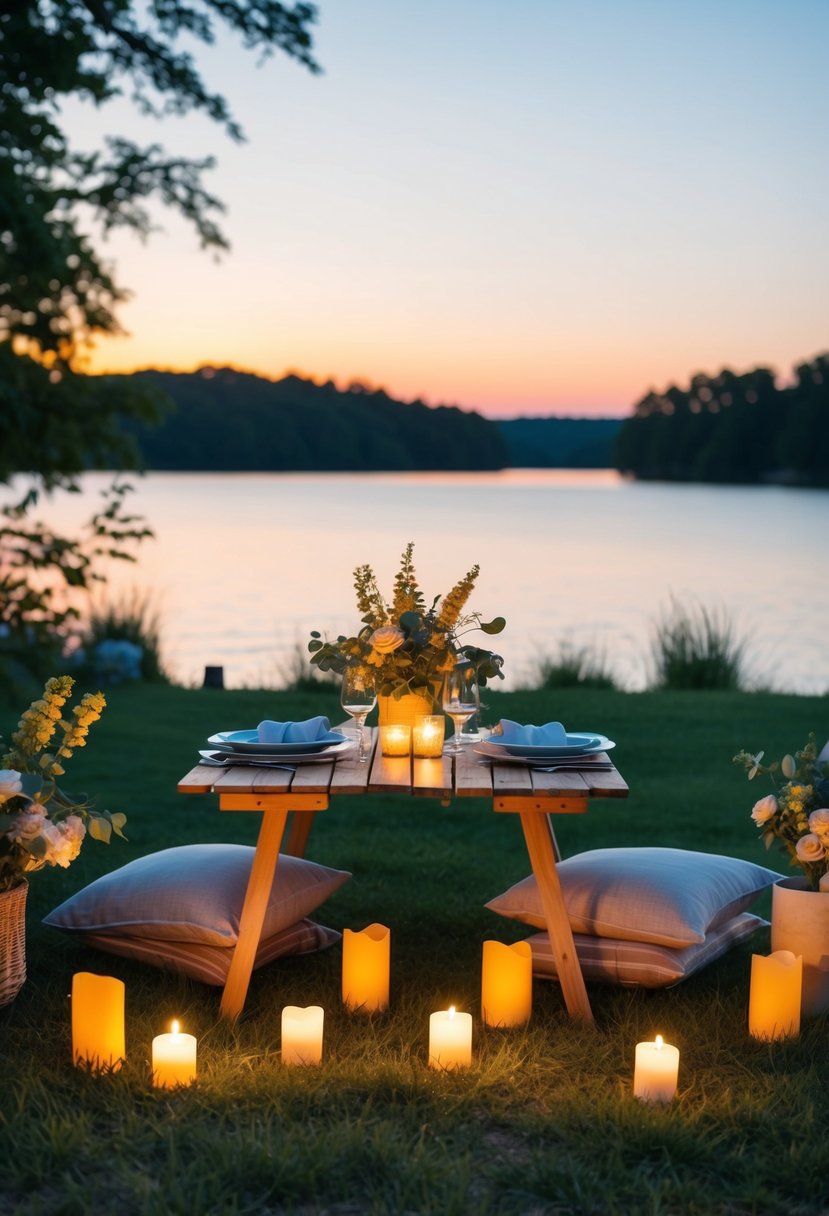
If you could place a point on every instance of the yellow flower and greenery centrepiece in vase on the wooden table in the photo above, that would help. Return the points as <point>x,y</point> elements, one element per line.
<point>408,645</point>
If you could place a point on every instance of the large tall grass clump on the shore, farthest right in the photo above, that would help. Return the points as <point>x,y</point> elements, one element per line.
<point>697,648</point>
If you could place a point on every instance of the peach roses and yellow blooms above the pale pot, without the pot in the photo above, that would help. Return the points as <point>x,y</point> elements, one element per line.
<point>798,813</point>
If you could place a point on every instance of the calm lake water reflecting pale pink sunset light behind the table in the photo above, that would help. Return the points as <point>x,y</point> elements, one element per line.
<point>244,566</point>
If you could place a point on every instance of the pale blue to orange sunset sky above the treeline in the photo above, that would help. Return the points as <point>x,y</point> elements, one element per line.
<point>533,209</point>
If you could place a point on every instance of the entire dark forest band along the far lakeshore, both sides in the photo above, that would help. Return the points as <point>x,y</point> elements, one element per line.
<point>725,429</point>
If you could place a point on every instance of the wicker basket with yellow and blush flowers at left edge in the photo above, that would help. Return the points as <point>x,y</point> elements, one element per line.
<point>42,825</point>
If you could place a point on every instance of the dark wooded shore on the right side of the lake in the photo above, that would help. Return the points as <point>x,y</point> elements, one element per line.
<point>732,429</point>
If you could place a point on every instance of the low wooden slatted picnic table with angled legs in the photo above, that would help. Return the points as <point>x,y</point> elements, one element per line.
<point>514,789</point>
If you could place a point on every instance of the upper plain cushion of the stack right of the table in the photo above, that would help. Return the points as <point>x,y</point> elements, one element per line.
<point>666,897</point>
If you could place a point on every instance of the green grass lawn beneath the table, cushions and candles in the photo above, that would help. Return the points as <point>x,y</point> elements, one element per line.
<point>543,1123</point>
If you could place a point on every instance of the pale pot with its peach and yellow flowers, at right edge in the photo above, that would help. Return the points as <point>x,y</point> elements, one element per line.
<point>797,814</point>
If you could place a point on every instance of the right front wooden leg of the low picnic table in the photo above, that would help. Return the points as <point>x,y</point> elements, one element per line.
<point>543,859</point>
